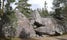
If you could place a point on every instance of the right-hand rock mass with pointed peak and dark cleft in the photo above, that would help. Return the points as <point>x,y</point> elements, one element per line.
<point>47,25</point>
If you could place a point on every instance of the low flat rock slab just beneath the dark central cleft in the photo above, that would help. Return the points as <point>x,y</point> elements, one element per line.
<point>45,30</point>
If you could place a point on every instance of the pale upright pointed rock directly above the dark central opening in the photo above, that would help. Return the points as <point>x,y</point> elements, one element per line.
<point>36,17</point>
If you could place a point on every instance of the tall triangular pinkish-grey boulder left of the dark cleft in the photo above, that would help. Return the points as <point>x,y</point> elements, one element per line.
<point>24,29</point>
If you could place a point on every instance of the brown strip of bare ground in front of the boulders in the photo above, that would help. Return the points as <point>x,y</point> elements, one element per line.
<point>64,37</point>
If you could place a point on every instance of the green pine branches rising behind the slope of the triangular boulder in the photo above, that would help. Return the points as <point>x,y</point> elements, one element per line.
<point>23,7</point>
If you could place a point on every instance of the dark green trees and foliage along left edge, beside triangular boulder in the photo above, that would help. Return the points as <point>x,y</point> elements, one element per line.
<point>8,19</point>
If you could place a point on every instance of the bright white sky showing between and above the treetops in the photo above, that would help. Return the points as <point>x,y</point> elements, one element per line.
<point>39,4</point>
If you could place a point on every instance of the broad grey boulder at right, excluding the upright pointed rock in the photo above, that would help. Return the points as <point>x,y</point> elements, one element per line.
<point>51,27</point>
